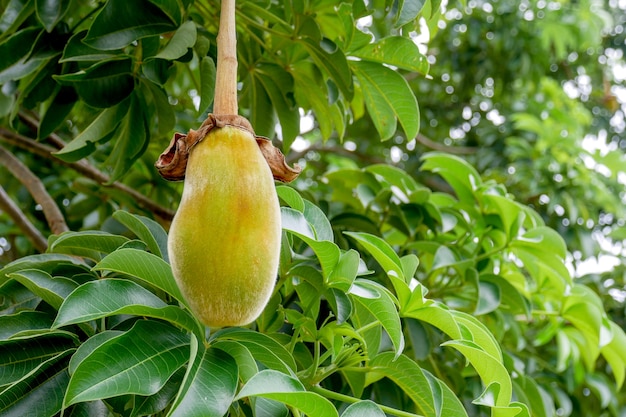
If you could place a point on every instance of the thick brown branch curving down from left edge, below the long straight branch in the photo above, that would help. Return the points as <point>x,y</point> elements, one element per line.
<point>35,187</point>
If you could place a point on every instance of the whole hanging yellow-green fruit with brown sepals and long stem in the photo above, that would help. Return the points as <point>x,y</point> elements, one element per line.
<point>224,241</point>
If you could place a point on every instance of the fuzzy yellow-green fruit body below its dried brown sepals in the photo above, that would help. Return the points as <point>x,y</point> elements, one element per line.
<point>224,241</point>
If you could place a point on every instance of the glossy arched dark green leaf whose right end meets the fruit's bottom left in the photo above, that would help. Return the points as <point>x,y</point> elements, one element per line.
<point>105,297</point>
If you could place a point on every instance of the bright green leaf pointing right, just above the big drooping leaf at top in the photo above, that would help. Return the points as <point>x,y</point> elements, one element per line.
<point>397,51</point>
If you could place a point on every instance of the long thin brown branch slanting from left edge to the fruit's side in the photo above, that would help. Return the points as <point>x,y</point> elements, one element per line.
<point>84,168</point>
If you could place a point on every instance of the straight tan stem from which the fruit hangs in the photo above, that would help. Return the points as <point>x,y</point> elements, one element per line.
<point>225,102</point>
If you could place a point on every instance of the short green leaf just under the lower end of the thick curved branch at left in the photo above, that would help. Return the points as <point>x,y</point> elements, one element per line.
<point>89,244</point>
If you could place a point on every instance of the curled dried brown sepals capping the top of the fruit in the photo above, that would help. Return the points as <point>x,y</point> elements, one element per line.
<point>172,163</point>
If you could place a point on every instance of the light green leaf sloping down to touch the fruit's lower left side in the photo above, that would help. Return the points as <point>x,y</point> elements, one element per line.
<point>143,265</point>
